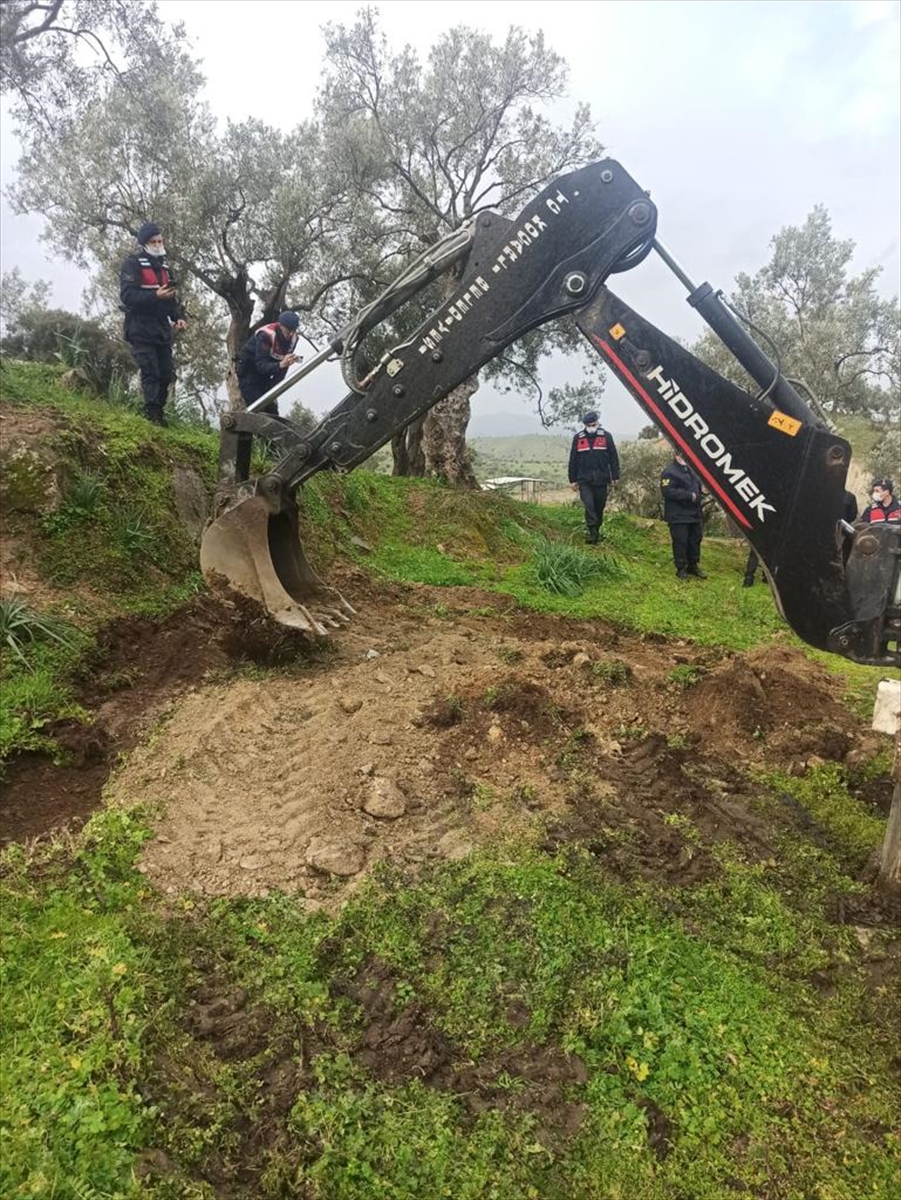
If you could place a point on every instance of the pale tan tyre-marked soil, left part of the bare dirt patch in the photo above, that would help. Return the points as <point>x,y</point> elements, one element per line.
<point>256,773</point>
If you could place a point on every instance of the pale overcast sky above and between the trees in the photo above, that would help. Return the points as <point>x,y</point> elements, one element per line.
<point>738,117</point>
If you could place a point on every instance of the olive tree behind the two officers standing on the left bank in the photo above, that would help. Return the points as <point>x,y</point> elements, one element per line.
<point>245,209</point>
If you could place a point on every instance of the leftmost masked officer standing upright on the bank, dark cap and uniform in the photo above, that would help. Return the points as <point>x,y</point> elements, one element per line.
<point>148,293</point>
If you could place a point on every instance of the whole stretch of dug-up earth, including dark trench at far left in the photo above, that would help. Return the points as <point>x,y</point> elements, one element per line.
<point>440,719</point>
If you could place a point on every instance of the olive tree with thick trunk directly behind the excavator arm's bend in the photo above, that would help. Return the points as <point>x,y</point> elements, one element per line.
<point>429,146</point>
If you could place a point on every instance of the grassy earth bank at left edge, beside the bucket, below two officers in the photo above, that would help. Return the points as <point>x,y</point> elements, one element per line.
<point>115,531</point>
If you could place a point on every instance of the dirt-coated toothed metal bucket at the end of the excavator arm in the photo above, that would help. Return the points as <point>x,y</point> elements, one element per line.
<point>259,554</point>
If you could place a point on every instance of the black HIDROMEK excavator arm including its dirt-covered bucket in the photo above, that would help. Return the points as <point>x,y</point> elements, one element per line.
<point>770,461</point>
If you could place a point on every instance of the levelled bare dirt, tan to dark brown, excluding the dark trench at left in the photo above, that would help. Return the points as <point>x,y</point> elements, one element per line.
<point>418,737</point>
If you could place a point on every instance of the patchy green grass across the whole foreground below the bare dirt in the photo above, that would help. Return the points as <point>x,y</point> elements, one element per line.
<point>693,1005</point>
